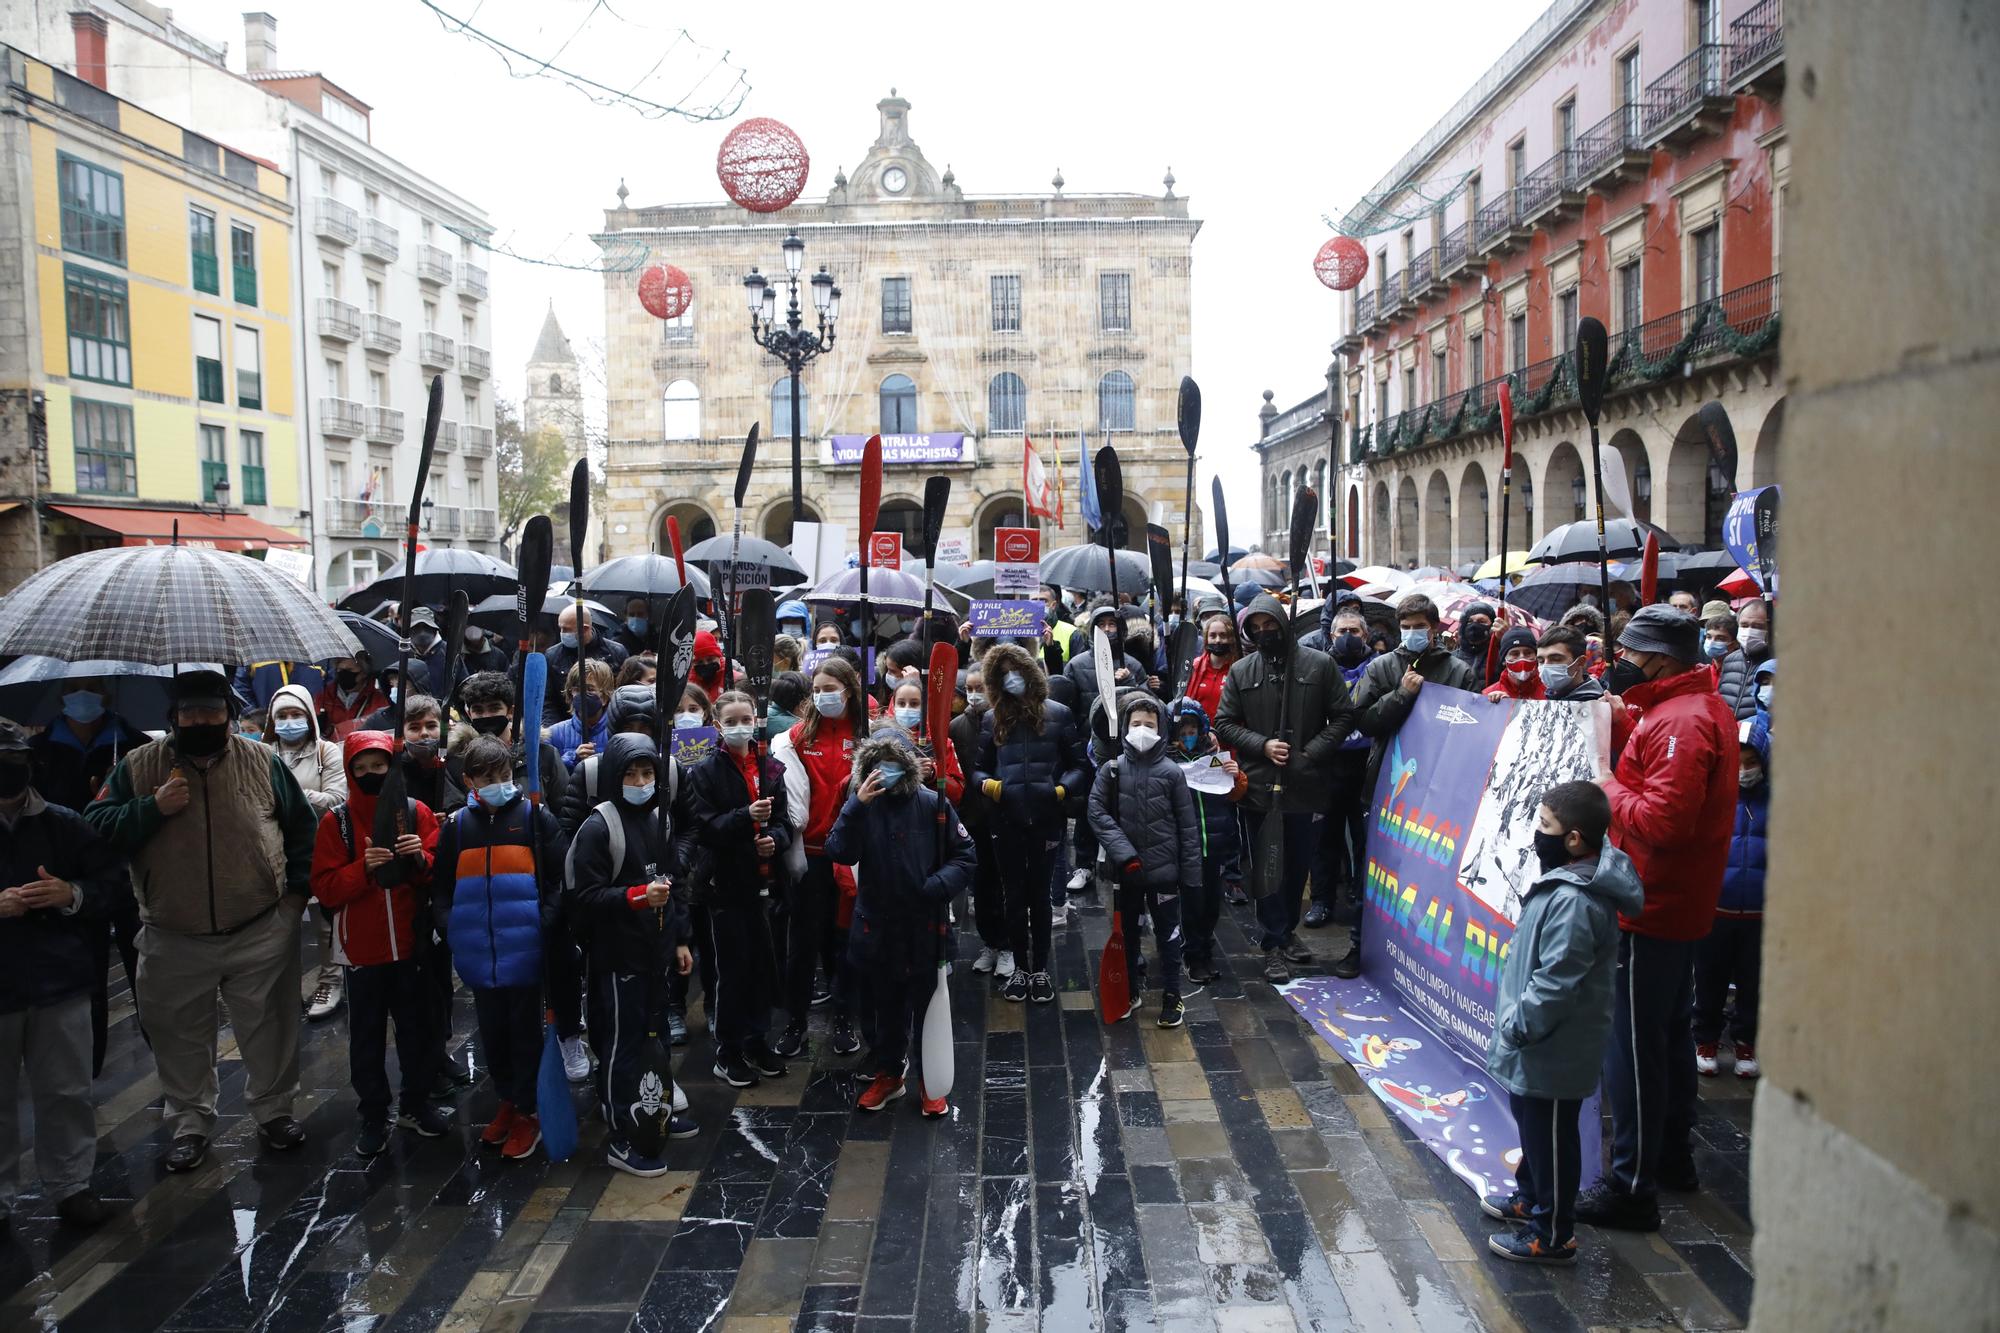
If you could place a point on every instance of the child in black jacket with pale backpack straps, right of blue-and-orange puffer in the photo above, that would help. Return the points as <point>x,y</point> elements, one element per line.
<point>627,906</point>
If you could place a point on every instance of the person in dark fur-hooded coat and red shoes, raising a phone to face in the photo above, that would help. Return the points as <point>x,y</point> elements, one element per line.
<point>913,860</point>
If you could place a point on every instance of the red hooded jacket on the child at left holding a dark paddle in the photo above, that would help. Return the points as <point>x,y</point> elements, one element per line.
<point>375,924</point>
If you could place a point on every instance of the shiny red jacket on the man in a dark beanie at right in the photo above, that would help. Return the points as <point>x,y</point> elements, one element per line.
<point>1675,804</point>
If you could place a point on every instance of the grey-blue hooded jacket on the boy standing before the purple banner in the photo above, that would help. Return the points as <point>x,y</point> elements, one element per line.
<point>1555,1000</point>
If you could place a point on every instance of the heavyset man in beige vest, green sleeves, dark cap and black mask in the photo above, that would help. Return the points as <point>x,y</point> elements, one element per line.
<point>221,846</point>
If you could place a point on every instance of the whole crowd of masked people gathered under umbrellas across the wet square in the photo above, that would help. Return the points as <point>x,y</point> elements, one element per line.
<point>831,848</point>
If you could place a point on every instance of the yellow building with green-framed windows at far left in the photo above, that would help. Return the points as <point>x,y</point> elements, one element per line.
<point>145,331</point>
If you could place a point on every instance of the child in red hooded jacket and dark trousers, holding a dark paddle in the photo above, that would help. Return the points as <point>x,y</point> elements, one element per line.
<point>375,896</point>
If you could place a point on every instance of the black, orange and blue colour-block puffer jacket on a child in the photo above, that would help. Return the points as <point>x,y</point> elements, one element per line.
<point>497,910</point>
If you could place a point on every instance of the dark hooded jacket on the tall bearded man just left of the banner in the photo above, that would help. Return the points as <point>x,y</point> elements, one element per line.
<point>1317,720</point>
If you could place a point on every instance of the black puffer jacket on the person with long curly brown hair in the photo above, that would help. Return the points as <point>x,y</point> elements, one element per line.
<point>1031,762</point>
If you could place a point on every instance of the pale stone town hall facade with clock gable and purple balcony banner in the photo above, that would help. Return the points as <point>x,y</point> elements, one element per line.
<point>1083,297</point>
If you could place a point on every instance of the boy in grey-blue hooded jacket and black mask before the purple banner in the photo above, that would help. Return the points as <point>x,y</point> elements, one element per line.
<point>1555,1012</point>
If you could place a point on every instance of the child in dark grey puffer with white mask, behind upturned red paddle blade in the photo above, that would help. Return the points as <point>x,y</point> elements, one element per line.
<point>1145,820</point>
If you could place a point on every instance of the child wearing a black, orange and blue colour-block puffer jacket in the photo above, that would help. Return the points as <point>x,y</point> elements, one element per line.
<point>501,860</point>
